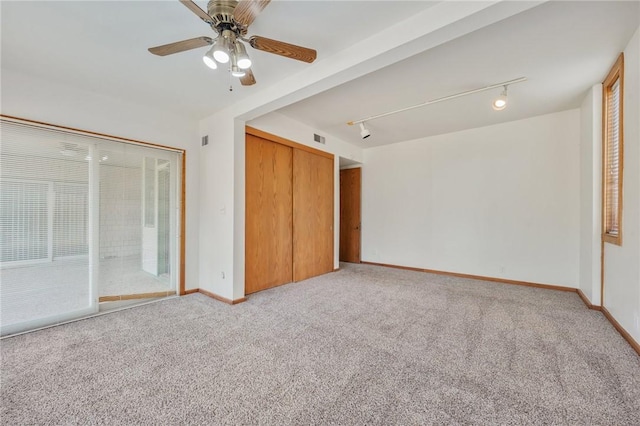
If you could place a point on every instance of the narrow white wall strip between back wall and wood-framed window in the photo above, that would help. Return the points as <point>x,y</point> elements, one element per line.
<point>591,193</point>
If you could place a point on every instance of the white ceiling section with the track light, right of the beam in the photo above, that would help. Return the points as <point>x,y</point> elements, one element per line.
<point>563,48</point>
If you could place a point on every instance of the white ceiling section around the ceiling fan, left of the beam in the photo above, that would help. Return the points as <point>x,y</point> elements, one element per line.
<point>101,46</point>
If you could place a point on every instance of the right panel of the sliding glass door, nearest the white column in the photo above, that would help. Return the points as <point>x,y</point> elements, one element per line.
<point>138,208</point>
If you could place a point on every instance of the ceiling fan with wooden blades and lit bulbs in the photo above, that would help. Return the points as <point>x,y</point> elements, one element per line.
<point>230,19</point>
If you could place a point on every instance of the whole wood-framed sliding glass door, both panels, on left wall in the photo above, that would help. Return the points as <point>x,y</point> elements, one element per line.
<point>84,221</point>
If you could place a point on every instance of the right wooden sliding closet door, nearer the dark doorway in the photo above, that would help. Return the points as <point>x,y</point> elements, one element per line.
<point>313,215</point>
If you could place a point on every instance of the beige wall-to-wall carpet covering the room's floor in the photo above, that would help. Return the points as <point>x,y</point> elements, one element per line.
<point>365,345</point>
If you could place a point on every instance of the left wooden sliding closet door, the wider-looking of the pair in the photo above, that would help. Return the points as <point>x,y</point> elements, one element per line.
<point>268,227</point>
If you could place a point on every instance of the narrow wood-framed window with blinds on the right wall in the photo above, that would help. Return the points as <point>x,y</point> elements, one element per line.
<point>612,153</point>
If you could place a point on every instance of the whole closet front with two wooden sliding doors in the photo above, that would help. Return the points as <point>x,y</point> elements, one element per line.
<point>289,211</point>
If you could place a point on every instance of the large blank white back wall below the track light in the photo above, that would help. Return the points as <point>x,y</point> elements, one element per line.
<point>498,201</point>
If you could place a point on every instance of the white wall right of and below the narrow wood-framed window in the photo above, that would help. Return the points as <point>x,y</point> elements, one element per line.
<point>622,263</point>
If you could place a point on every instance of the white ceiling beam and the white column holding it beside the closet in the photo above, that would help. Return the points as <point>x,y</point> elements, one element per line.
<point>222,163</point>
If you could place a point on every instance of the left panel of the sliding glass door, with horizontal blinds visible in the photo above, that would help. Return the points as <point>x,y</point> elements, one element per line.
<point>44,216</point>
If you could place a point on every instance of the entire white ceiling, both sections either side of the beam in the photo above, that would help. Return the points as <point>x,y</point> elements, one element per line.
<point>101,46</point>
